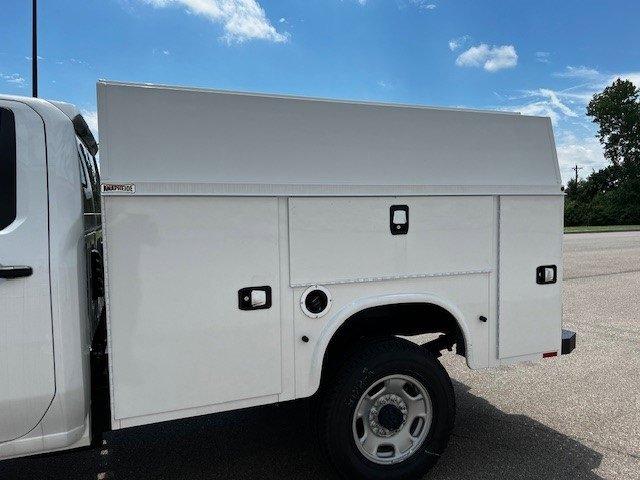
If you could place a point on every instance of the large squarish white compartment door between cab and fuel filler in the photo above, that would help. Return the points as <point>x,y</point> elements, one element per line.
<point>174,268</point>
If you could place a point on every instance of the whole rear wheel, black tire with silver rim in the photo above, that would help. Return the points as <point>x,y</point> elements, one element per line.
<point>388,413</point>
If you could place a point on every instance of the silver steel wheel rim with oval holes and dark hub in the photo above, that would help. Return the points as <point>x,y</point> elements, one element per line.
<point>392,419</point>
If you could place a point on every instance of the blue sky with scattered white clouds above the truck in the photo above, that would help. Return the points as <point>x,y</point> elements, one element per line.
<point>541,58</point>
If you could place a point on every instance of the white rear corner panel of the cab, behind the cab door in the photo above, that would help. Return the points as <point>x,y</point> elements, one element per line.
<point>67,421</point>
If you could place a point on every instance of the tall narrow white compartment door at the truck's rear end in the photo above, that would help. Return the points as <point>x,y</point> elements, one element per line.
<point>530,315</point>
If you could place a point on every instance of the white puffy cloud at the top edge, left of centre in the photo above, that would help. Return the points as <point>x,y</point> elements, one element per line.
<point>241,19</point>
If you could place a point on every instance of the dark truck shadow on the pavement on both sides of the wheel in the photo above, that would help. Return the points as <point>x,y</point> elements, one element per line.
<point>276,442</point>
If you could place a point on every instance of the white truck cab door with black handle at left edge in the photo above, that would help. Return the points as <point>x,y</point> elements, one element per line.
<point>27,383</point>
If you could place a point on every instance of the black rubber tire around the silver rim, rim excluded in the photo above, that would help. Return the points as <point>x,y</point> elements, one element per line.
<point>368,364</point>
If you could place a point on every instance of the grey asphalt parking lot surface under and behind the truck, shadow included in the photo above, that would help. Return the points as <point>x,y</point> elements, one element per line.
<point>574,417</point>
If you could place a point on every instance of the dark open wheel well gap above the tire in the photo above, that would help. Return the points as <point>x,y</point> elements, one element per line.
<point>405,319</point>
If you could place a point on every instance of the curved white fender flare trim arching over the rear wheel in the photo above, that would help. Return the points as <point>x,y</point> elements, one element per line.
<point>346,312</point>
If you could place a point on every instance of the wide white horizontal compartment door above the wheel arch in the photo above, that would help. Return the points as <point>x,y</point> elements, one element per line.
<point>349,239</point>
